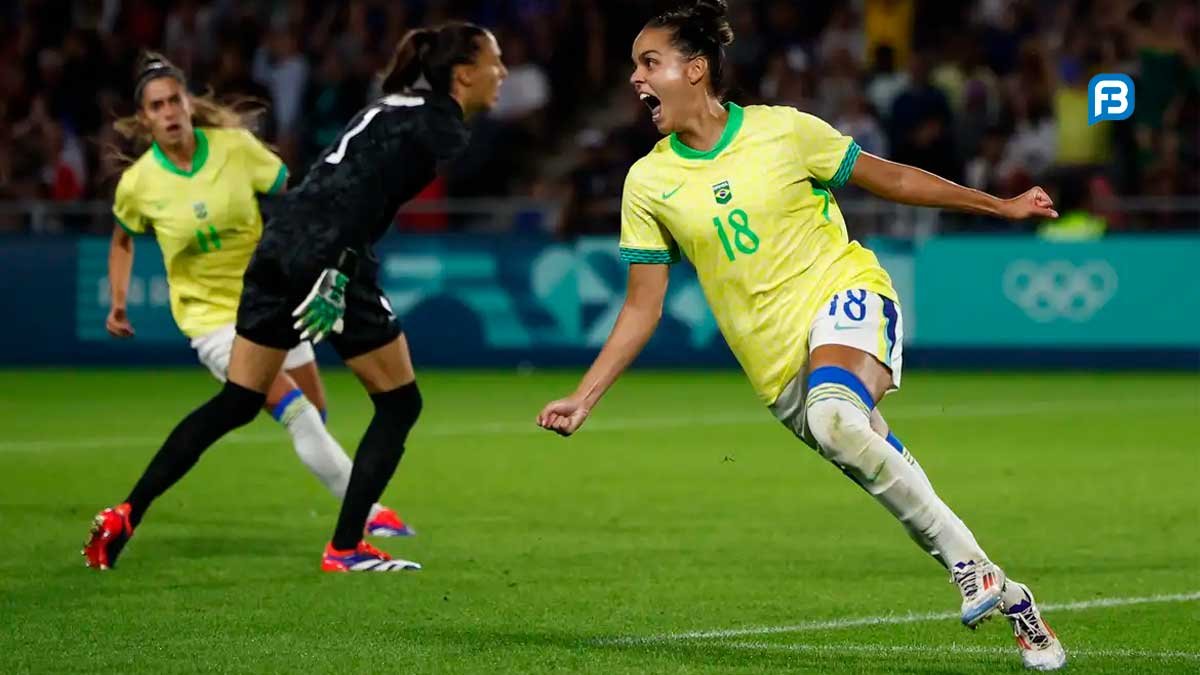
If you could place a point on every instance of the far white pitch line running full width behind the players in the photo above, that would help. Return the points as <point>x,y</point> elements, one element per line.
<point>928,411</point>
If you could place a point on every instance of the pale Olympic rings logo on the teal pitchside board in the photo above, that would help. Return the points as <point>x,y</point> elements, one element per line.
<point>1053,290</point>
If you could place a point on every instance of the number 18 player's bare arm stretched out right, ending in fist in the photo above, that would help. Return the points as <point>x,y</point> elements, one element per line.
<point>910,186</point>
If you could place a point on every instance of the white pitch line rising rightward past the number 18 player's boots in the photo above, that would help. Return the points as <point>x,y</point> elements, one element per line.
<point>889,620</point>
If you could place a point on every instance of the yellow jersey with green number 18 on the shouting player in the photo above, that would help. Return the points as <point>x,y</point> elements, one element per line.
<point>758,218</point>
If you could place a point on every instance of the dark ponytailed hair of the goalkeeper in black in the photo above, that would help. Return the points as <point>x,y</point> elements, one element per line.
<point>431,53</point>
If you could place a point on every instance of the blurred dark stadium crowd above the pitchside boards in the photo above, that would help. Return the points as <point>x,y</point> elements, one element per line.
<point>989,93</point>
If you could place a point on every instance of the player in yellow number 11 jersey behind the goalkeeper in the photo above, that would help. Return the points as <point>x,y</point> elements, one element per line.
<point>196,188</point>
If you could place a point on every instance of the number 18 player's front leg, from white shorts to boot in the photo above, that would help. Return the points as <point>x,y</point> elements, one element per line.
<point>856,357</point>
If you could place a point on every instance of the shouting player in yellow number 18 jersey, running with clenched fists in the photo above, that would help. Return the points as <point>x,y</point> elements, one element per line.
<point>747,195</point>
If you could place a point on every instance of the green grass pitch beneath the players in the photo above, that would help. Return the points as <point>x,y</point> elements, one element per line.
<point>682,507</point>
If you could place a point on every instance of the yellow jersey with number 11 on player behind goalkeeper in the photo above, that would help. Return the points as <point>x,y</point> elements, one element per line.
<point>206,220</point>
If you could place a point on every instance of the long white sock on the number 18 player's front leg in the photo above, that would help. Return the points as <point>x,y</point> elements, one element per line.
<point>841,425</point>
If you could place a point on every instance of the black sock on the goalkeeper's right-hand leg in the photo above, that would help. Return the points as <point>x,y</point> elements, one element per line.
<point>379,456</point>
